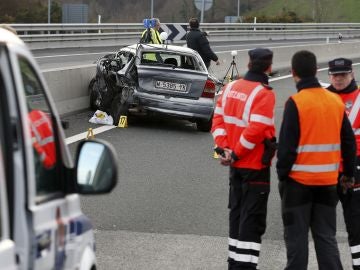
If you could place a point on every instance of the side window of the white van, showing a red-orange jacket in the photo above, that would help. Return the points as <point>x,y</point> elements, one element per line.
<point>41,126</point>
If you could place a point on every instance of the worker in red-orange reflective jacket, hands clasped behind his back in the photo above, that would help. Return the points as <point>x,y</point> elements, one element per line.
<point>243,128</point>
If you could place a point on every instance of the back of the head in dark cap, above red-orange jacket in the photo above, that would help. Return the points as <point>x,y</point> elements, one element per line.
<point>260,60</point>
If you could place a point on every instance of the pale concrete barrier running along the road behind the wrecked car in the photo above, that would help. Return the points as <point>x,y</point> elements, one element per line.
<point>69,87</point>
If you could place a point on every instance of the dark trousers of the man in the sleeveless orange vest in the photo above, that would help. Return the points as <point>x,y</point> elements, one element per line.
<point>313,207</point>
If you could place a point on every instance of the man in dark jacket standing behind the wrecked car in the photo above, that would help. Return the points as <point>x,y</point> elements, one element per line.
<point>197,41</point>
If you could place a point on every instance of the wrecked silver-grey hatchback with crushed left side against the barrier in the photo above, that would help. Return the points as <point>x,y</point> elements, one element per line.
<point>151,78</point>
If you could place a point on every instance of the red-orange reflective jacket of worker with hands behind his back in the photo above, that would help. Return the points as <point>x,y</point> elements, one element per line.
<point>243,118</point>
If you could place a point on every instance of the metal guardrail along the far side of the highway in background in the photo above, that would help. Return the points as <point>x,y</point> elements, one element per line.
<point>78,35</point>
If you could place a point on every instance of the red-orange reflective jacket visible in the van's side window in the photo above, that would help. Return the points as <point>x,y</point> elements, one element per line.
<point>43,137</point>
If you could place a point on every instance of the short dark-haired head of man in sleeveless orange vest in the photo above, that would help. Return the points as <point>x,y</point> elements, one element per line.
<point>304,64</point>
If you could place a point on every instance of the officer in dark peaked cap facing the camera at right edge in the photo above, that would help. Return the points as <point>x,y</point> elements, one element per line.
<point>343,83</point>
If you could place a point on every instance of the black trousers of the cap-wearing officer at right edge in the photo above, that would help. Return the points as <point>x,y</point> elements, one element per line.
<point>350,202</point>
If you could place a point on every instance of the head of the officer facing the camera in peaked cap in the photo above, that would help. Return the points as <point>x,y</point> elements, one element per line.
<point>340,73</point>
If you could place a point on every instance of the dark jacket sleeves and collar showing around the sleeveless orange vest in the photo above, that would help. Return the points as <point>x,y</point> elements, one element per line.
<point>288,143</point>
